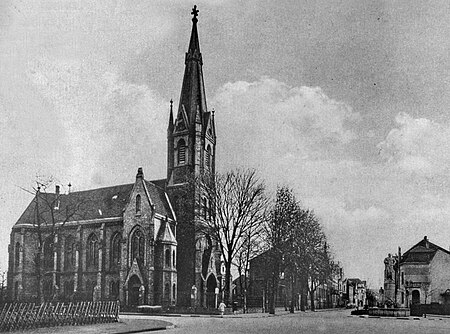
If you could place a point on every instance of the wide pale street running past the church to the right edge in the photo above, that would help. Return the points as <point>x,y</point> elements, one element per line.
<point>311,322</point>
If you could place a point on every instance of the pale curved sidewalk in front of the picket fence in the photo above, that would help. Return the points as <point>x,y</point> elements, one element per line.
<point>125,326</point>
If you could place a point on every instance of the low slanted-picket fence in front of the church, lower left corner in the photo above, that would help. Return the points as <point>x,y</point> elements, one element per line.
<point>21,316</point>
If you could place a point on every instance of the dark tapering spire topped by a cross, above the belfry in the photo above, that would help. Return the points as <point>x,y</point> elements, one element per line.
<point>193,99</point>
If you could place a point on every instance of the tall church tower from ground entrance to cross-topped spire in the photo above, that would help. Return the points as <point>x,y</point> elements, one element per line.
<point>191,152</point>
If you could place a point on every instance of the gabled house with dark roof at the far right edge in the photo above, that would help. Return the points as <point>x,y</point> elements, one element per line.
<point>424,275</point>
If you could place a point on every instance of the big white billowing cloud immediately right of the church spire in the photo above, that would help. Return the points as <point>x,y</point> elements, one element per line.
<point>275,123</point>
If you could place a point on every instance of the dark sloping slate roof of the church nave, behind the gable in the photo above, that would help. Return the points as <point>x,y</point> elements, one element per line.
<point>92,204</point>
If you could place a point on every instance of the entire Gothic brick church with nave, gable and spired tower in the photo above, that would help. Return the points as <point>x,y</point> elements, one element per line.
<point>139,243</point>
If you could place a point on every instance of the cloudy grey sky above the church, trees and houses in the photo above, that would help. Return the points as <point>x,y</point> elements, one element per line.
<point>346,102</point>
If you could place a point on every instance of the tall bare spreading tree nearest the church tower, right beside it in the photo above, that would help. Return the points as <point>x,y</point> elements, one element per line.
<point>238,206</point>
